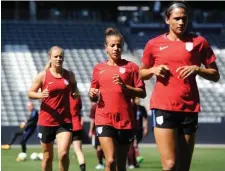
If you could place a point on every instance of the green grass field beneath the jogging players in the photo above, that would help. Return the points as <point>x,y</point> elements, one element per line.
<point>204,159</point>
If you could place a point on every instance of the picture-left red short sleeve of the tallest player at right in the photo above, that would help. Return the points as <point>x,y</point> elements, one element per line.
<point>147,58</point>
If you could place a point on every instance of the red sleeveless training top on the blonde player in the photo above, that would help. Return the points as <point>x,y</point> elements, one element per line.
<point>55,108</point>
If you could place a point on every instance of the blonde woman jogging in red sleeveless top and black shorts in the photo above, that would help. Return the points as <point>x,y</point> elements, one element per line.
<point>54,120</point>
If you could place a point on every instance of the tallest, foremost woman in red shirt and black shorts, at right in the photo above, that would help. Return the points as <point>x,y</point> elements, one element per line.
<point>175,59</point>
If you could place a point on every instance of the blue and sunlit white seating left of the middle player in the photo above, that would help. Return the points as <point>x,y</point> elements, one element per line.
<point>24,54</point>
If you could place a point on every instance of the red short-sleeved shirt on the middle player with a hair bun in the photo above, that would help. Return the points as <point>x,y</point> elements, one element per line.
<point>114,107</point>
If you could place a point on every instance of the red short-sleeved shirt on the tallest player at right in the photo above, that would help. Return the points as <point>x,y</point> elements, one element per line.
<point>176,94</point>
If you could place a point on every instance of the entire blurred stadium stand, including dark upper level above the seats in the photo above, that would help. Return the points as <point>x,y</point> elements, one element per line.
<point>79,30</point>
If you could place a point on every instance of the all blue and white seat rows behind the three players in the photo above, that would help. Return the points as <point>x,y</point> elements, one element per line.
<point>24,53</point>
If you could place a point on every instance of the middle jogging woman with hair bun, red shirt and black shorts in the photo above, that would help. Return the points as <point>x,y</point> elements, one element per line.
<point>115,81</point>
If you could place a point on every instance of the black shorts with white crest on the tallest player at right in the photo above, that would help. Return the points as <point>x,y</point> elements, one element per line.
<point>186,122</point>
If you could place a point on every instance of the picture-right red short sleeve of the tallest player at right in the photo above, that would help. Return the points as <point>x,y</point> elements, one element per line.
<point>206,52</point>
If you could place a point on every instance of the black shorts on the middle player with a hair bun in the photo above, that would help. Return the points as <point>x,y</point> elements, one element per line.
<point>122,136</point>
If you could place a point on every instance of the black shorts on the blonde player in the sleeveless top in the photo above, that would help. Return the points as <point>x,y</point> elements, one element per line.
<point>47,134</point>
